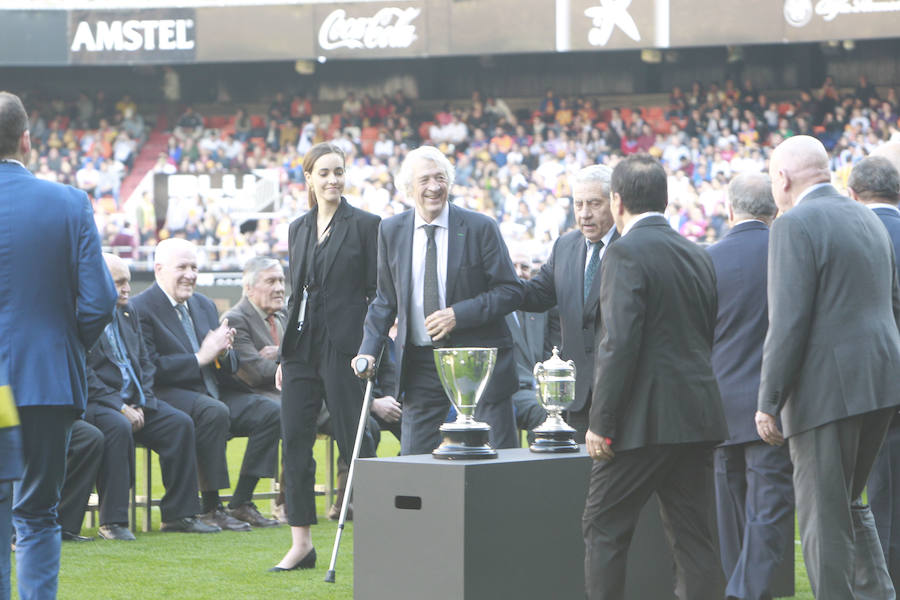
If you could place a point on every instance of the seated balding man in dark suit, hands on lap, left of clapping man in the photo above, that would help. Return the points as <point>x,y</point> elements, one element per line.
<point>122,404</point>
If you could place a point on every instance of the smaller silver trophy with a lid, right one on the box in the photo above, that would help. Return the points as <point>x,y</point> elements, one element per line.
<point>556,390</point>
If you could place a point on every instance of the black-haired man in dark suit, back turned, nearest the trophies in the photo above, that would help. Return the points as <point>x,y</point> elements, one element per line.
<point>656,412</point>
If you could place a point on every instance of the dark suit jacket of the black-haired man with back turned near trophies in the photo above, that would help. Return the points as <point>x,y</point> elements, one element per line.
<point>653,380</point>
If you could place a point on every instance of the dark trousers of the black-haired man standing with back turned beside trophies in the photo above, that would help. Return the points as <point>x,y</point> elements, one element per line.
<point>680,474</point>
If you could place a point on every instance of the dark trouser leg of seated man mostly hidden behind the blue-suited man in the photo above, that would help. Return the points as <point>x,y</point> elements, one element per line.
<point>83,461</point>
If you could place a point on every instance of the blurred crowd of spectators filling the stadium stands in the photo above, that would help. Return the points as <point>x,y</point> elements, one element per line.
<point>513,165</point>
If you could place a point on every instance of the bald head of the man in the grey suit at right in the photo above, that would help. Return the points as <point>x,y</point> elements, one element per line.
<point>796,164</point>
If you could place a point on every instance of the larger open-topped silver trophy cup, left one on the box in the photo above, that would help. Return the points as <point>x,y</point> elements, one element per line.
<point>464,373</point>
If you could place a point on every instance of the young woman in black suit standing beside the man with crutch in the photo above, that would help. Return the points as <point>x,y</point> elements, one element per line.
<point>333,258</point>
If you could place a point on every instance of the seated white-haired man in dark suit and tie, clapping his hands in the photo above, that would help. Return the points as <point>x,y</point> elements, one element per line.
<point>193,355</point>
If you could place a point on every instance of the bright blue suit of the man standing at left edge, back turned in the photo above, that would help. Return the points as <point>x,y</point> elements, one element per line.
<point>56,296</point>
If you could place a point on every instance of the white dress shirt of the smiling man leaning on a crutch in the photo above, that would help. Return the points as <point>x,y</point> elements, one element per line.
<point>418,335</point>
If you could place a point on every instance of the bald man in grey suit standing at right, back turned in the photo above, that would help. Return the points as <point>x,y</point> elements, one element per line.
<point>830,364</point>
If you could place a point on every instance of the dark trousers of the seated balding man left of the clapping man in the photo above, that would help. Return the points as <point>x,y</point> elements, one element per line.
<point>168,432</point>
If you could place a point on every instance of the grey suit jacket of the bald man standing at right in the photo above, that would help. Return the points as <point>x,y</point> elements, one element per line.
<point>833,348</point>
